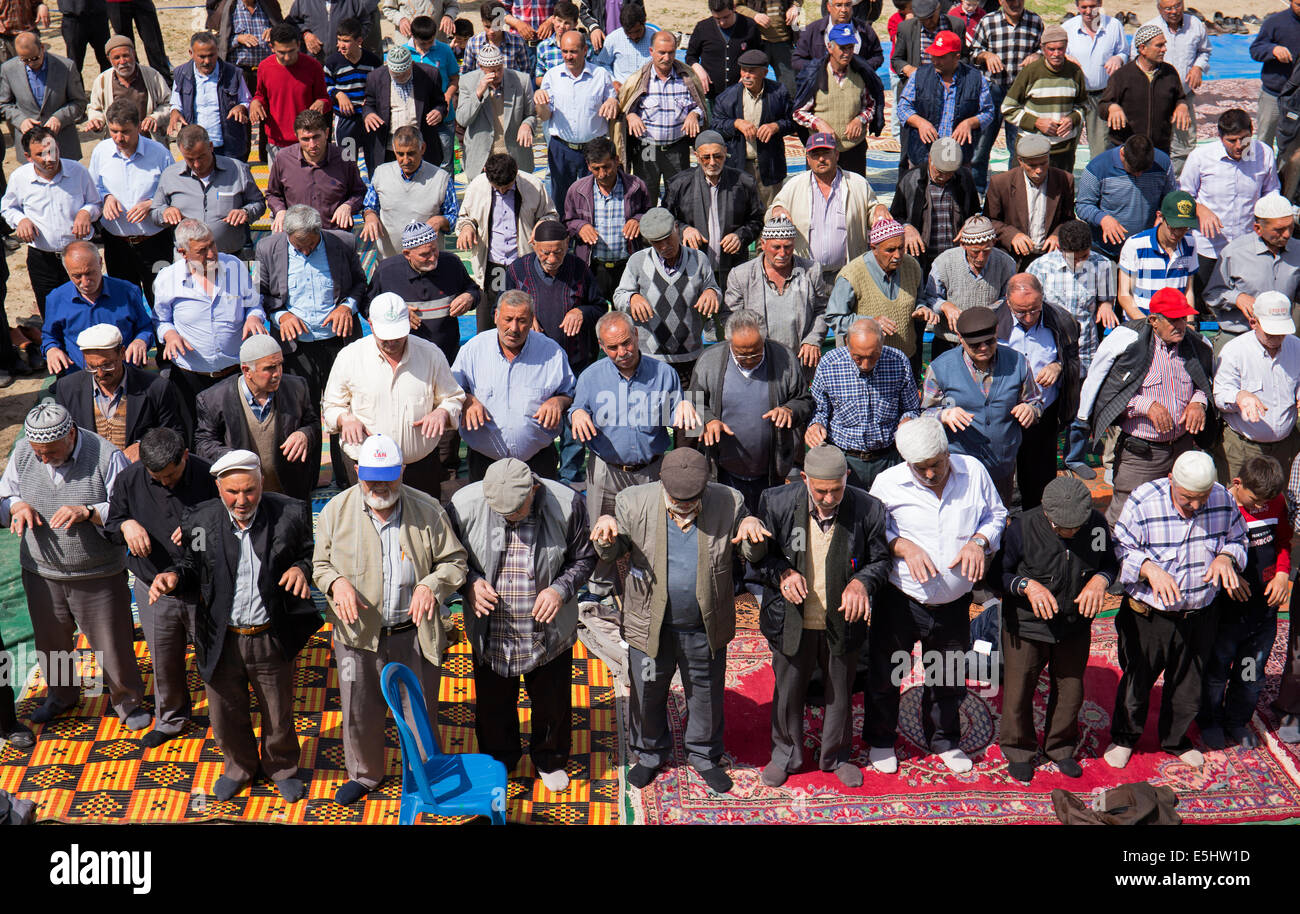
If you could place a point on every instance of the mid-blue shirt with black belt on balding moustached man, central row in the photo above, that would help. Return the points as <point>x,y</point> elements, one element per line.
<point>630,414</point>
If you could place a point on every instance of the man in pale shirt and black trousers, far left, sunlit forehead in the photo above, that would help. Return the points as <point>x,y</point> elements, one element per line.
<point>50,203</point>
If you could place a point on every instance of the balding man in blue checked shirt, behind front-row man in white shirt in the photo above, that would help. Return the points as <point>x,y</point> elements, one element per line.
<point>863,393</point>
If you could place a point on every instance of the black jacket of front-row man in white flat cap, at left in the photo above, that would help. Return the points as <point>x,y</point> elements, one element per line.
<point>283,539</point>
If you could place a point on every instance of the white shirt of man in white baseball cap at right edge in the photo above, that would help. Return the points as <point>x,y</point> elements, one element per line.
<point>1245,365</point>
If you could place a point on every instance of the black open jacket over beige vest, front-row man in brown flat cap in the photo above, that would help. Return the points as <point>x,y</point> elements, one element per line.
<point>857,552</point>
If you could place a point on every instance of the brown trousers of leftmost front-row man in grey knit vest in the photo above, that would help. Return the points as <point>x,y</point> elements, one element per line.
<point>102,609</point>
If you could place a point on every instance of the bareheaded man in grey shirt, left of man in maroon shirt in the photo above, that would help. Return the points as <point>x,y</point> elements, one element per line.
<point>216,190</point>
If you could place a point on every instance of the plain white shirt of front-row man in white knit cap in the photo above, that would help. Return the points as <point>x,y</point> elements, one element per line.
<point>941,526</point>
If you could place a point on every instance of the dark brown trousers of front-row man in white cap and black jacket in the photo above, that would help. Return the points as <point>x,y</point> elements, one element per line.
<point>254,660</point>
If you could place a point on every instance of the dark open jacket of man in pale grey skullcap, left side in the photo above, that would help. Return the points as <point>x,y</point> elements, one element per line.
<point>223,427</point>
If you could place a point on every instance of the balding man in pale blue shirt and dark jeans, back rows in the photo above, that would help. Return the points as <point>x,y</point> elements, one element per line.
<point>583,103</point>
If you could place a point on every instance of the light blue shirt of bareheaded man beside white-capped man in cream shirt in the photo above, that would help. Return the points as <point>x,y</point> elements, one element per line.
<point>513,392</point>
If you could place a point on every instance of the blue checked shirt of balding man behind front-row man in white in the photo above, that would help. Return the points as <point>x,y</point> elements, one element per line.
<point>861,410</point>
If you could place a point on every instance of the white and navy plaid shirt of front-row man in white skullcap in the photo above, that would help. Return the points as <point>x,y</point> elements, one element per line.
<point>1151,530</point>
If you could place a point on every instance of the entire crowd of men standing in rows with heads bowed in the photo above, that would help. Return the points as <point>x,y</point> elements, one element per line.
<point>651,387</point>
